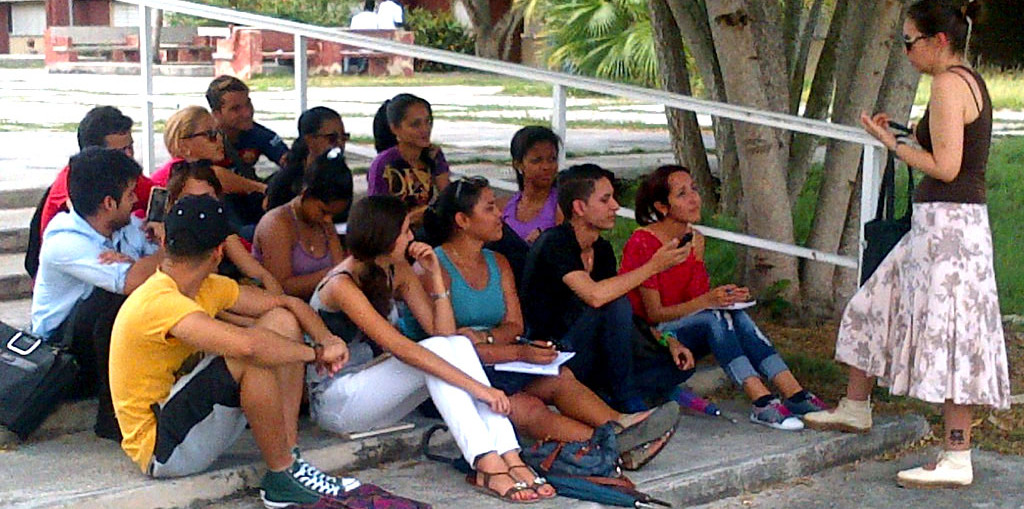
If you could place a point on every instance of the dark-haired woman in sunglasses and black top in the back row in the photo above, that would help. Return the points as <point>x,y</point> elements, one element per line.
<point>321,131</point>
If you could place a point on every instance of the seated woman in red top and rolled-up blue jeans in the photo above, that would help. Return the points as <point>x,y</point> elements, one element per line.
<point>681,304</point>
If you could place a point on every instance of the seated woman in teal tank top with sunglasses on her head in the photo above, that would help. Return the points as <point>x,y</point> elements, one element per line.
<point>487,311</point>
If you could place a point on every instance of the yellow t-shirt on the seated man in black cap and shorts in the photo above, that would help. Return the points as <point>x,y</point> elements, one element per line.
<point>145,358</point>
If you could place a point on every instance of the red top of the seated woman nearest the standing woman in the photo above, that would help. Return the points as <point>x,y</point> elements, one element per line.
<point>679,284</point>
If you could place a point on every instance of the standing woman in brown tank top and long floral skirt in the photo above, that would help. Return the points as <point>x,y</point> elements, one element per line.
<point>927,323</point>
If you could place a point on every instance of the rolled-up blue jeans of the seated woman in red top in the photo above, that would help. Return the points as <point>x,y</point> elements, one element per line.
<point>741,349</point>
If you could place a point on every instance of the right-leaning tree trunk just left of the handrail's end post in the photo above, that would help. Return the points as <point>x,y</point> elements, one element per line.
<point>842,159</point>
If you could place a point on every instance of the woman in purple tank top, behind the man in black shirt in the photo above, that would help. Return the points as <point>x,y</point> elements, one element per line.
<point>535,158</point>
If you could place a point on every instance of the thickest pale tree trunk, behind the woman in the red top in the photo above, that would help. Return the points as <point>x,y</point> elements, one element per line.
<point>762,151</point>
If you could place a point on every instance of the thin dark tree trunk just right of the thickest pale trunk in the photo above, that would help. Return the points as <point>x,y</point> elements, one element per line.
<point>819,102</point>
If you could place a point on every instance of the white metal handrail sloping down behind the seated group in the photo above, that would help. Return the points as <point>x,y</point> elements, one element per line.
<point>873,150</point>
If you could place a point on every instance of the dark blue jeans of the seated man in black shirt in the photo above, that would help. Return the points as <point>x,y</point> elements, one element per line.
<point>604,341</point>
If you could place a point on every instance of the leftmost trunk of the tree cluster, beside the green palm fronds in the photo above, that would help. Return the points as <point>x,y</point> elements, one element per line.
<point>688,143</point>
